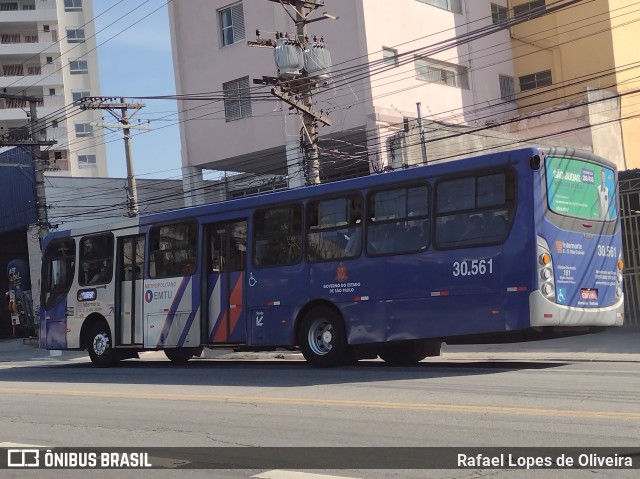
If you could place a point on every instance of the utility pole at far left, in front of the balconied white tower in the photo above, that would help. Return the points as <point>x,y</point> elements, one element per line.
<point>34,143</point>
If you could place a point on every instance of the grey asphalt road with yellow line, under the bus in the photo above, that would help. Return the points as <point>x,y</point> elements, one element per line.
<point>455,401</point>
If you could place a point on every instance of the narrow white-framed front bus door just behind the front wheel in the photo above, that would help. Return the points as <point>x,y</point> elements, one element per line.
<point>129,296</point>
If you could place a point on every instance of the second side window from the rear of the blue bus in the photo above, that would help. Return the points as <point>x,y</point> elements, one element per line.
<point>398,221</point>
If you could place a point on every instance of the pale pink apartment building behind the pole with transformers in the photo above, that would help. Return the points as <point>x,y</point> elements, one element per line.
<point>387,60</point>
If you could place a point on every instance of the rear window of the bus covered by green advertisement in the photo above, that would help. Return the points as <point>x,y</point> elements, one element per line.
<point>580,189</point>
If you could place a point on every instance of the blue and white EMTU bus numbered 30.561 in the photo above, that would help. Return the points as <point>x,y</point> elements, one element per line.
<point>510,246</point>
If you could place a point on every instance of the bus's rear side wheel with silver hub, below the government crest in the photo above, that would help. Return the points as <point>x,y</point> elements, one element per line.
<point>322,338</point>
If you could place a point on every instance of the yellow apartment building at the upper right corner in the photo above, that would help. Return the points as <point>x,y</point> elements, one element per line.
<point>577,69</point>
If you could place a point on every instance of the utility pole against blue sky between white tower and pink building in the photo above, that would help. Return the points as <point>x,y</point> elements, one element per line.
<point>111,105</point>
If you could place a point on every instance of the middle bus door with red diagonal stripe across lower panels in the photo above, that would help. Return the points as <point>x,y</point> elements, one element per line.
<point>226,256</point>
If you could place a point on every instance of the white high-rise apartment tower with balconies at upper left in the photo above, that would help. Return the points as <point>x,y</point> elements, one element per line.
<point>48,51</point>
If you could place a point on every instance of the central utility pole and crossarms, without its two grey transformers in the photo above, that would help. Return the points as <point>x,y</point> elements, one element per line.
<point>297,90</point>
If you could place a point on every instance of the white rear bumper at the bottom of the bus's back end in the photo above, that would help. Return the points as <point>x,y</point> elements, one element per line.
<point>545,313</point>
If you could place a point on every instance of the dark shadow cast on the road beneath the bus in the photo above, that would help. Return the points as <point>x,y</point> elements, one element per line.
<point>260,373</point>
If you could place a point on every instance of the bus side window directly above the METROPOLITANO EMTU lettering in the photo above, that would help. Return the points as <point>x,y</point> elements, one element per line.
<point>172,250</point>
